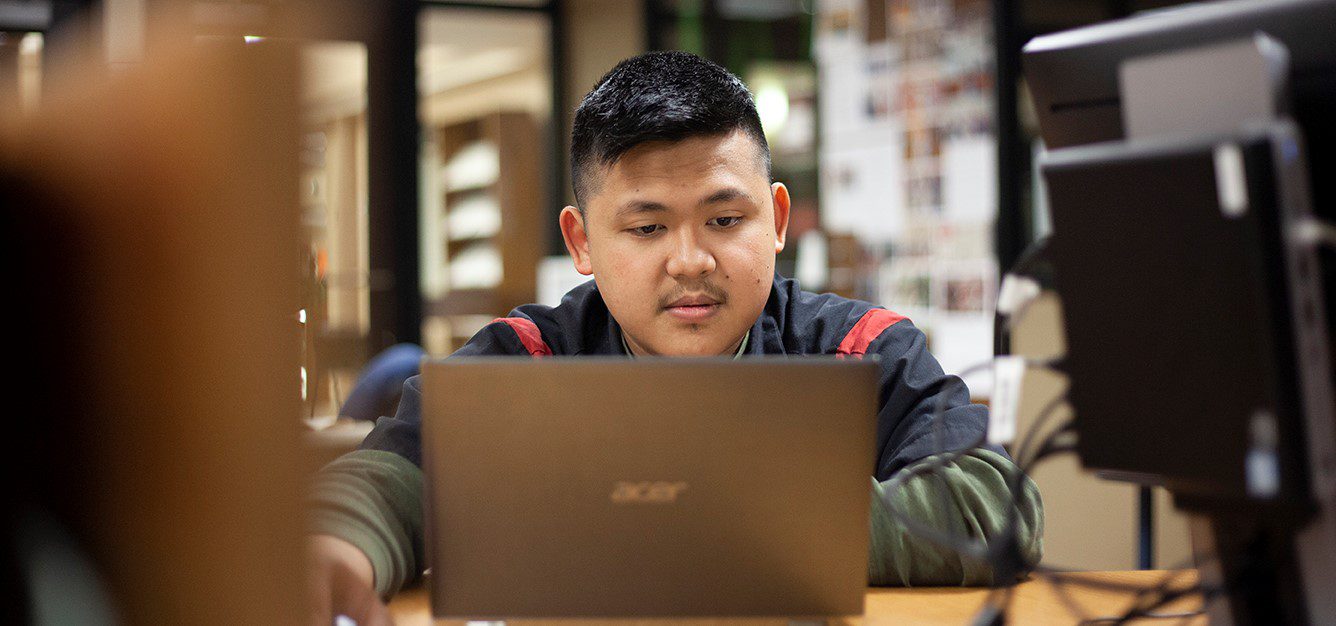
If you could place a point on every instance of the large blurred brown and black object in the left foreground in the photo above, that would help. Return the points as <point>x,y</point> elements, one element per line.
<point>153,222</point>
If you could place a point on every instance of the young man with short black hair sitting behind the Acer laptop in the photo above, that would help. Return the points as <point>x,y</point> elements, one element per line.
<point>679,225</point>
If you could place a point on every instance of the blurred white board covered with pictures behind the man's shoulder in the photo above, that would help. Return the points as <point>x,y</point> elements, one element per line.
<point>909,161</point>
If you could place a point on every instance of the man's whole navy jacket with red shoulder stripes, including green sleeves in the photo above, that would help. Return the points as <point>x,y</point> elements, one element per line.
<point>373,496</point>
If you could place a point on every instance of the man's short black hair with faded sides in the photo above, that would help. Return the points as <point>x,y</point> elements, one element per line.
<point>658,97</point>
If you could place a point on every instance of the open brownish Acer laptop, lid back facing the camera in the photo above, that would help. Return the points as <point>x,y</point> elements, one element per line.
<point>606,488</point>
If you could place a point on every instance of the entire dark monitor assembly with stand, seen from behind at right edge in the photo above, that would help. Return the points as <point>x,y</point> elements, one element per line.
<point>1186,168</point>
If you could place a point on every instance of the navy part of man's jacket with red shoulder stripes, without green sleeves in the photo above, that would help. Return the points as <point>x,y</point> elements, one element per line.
<point>794,322</point>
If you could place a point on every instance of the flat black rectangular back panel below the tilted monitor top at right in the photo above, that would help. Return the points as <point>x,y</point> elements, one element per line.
<point>1178,317</point>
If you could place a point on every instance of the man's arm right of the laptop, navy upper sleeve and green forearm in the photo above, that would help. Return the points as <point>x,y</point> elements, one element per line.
<point>928,413</point>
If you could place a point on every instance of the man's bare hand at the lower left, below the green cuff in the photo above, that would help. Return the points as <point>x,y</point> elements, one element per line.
<point>341,583</point>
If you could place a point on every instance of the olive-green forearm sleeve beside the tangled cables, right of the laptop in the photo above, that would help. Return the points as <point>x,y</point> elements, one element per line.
<point>971,500</point>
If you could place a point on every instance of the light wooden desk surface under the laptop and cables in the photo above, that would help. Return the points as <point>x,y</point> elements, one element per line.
<point>1035,603</point>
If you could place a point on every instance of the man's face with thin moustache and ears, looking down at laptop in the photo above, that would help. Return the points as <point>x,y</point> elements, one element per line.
<point>682,238</point>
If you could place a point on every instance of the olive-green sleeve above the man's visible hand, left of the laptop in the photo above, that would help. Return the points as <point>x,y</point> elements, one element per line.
<point>373,500</point>
